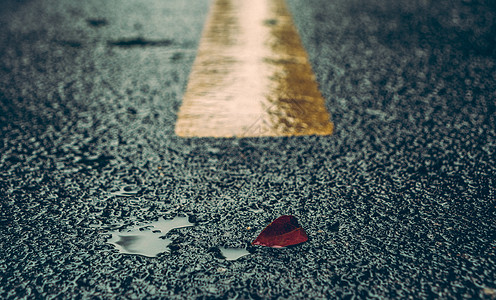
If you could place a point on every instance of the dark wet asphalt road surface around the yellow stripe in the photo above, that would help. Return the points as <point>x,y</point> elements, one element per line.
<point>399,202</point>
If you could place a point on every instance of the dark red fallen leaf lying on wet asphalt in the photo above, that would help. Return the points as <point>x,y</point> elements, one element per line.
<point>282,232</point>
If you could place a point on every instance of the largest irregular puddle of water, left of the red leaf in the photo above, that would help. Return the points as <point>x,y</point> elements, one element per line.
<point>146,239</point>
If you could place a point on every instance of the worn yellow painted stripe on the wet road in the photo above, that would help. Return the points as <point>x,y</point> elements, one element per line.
<point>251,76</point>
